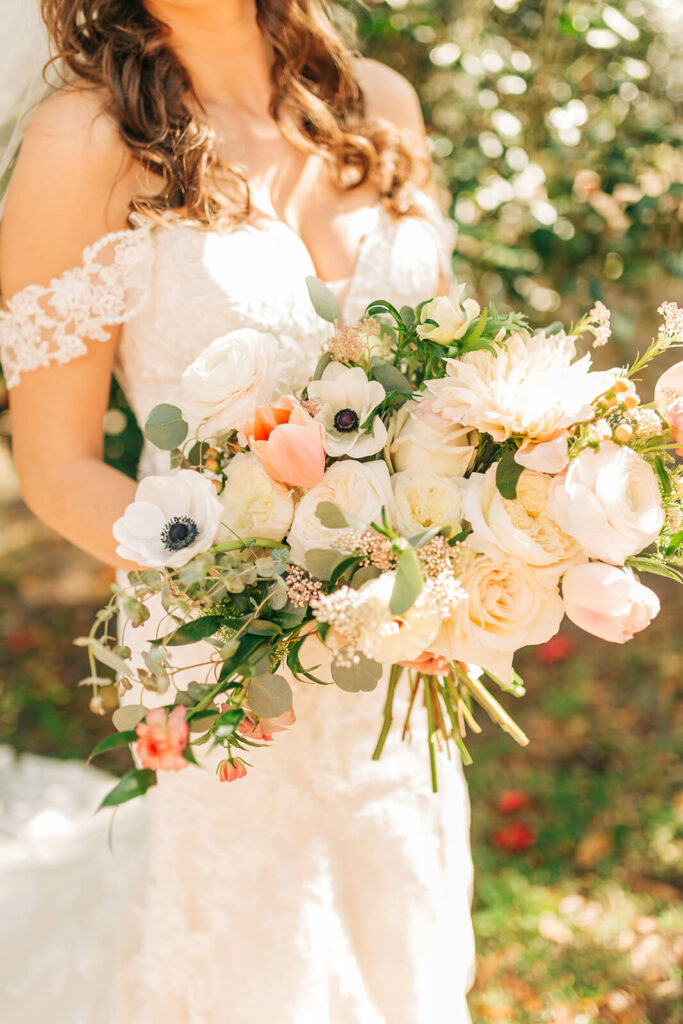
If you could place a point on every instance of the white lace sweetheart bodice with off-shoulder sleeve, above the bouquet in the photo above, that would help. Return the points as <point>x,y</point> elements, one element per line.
<point>176,289</point>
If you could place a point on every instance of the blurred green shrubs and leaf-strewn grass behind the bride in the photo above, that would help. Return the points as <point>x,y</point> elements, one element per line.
<point>557,131</point>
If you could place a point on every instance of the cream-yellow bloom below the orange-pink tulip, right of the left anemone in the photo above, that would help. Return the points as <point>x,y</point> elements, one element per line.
<point>253,504</point>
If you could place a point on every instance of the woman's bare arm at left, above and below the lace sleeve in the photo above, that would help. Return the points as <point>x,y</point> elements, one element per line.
<point>71,187</point>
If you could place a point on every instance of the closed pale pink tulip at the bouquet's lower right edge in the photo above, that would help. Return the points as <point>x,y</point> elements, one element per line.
<point>608,603</point>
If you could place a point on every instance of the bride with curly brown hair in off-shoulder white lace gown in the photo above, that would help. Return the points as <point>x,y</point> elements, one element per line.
<point>204,159</point>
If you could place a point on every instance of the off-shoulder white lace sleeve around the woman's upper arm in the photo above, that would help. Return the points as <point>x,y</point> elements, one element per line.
<point>54,323</point>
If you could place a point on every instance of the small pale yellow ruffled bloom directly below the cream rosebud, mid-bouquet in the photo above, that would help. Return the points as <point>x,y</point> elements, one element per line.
<point>426,500</point>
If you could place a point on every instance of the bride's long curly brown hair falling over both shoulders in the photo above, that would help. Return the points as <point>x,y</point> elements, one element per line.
<point>316,100</point>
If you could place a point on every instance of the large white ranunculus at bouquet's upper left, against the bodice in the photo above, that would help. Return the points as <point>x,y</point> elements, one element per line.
<point>230,380</point>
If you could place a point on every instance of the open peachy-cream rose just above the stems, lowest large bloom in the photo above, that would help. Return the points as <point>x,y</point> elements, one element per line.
<point>510,605</point>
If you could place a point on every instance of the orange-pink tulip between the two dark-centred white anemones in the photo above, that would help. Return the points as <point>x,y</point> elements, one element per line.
<point>289,444</point>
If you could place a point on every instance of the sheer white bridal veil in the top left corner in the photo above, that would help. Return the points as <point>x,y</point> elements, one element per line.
<point>24,51</point>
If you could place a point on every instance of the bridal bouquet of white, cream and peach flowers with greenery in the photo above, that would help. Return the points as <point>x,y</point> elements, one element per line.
<point>443,492</point>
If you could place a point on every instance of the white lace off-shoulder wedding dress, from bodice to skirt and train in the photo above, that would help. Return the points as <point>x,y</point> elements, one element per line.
<point>325,888</point>
